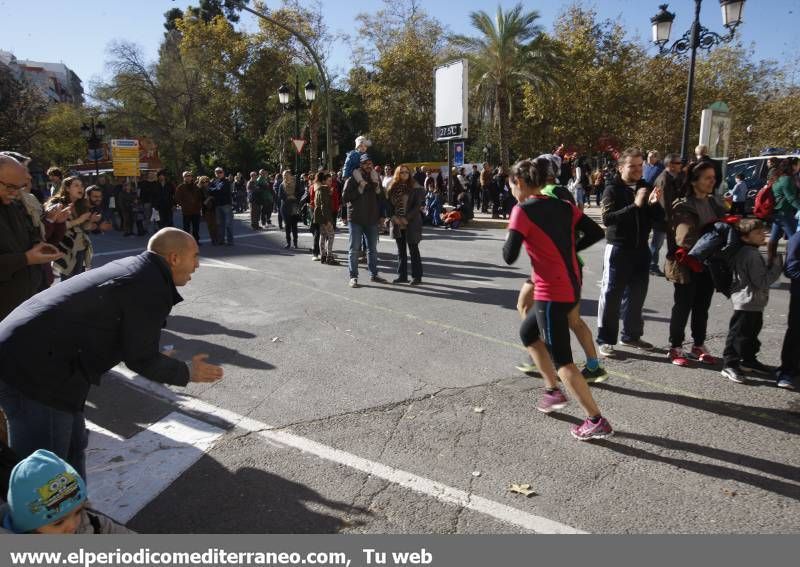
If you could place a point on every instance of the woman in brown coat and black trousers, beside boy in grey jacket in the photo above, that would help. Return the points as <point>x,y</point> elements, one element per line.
<point>693,285</point>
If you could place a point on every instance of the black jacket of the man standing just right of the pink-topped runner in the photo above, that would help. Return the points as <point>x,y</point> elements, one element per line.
<point>627,225</point>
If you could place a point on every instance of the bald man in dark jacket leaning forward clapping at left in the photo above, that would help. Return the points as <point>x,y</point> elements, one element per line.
<point>56,345</point>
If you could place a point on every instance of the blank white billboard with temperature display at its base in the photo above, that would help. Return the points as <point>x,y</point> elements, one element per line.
<point>452,101</point>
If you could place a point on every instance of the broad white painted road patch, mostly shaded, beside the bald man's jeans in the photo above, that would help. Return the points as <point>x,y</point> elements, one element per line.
<point>124,475</point>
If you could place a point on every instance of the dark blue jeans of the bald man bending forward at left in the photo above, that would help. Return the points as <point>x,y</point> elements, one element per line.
<point>33,425</point>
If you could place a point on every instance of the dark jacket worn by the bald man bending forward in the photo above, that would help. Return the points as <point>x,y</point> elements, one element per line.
<point>57,344</point>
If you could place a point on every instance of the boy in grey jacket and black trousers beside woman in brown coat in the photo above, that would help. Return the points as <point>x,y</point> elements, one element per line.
<point>750,294</point>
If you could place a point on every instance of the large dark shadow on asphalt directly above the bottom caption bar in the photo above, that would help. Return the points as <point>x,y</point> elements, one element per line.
<point>250,500</point>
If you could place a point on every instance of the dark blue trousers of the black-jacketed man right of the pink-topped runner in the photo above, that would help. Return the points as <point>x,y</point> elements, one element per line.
<point>626,276</point>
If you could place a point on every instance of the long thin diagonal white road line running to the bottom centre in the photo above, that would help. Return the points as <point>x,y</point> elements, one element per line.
<point>426,486</point>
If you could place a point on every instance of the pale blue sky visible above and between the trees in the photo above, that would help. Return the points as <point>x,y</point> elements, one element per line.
<point>78,32</point>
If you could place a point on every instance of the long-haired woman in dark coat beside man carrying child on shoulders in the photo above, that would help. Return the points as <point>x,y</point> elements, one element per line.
<point>406,199</point>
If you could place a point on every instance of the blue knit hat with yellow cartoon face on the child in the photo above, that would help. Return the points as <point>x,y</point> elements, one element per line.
<point>43,489</point>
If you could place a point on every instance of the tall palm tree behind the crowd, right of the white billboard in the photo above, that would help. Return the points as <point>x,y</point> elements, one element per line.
<point>510,51</point>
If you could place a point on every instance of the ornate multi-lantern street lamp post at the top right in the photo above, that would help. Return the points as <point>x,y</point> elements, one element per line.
<point>697,37</point>
